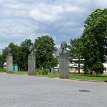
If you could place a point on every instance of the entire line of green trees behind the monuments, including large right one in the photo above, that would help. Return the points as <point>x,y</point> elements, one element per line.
<point>91,46</point>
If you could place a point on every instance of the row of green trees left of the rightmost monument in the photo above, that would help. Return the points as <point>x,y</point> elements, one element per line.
<point>44,53</point>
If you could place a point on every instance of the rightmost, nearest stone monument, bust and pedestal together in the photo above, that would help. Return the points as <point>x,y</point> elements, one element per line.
<point>64,61</point>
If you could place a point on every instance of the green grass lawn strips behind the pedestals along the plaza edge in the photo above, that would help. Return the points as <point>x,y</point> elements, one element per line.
<point>71,76</point>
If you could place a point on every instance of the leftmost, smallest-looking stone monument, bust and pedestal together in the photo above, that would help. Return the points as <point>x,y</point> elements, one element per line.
<point>9,61</point>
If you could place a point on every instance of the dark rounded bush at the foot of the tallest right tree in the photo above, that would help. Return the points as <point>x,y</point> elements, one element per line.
<point>98,68</point>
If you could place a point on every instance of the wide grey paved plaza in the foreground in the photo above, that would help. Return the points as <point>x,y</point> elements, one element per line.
<point>30,91</point>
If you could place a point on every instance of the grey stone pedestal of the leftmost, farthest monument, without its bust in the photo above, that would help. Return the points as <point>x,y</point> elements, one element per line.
<point>9,64</point>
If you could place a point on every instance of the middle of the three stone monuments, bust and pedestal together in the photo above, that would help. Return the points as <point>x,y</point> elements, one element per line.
<point>31,61</point>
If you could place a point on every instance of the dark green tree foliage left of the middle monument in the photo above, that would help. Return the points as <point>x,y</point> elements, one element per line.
<point>19,53</point>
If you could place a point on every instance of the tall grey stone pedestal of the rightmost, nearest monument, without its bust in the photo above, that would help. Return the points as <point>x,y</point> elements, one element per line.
<point>64,65</point>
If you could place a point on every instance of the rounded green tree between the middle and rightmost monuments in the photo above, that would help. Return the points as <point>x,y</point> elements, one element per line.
<point>44,52</point>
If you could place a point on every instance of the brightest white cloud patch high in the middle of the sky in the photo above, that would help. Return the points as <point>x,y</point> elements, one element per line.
<point>52,12</point>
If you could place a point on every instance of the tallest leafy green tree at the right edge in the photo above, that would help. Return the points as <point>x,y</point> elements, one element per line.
<point>94,42</point>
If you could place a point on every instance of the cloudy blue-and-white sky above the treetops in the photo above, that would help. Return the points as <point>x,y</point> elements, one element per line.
<point>63,20</point>
